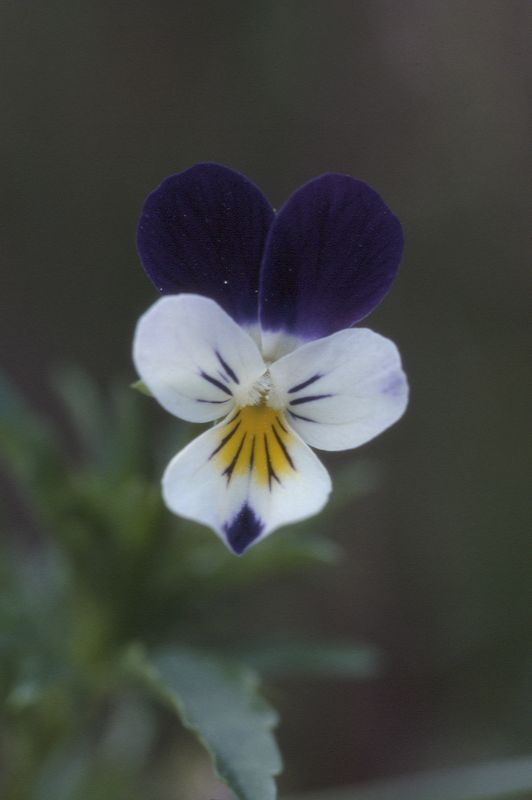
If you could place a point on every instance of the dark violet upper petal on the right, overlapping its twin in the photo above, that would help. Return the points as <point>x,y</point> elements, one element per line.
<point>330,257</point>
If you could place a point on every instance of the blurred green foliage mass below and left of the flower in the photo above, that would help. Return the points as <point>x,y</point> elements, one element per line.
<point>116,617</point>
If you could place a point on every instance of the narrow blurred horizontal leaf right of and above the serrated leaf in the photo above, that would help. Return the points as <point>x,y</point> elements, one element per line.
<point>314,659</point>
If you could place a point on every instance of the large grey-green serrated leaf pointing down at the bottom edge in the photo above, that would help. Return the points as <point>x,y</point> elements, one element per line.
<point>219,702</point>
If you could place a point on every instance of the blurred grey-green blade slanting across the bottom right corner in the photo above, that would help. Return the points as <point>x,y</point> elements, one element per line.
<point>493,780</point>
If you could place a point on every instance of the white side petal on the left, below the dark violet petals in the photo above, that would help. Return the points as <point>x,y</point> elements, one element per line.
<point>194,358</point>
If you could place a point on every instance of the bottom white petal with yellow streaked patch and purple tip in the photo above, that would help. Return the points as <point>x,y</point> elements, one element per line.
<point>245,477</point>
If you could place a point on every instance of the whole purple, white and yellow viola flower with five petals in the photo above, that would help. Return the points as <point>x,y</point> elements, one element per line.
<point>255,331</point>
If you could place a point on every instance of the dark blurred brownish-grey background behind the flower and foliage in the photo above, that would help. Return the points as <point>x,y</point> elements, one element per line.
<point>430,103</point>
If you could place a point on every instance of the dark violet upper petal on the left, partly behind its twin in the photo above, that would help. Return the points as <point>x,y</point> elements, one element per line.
<point>203,231</point>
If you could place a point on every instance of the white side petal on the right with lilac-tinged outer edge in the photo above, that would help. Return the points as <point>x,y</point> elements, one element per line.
<point>342,390</point>
